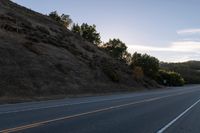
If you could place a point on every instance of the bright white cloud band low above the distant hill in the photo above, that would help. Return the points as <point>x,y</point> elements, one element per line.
<point>178,51</point>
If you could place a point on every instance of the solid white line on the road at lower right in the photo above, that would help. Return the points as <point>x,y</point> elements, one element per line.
<point>178,117</point>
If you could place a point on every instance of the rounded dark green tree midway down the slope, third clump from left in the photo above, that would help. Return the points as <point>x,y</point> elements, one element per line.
<point>116,48</point>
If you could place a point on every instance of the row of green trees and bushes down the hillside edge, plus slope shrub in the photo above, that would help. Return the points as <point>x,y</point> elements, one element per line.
<point>141,64</point>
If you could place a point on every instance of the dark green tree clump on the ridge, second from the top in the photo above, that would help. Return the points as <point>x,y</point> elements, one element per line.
<point>88,32</point>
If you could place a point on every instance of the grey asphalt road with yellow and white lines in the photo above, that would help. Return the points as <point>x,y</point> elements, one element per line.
<point>171,110</point>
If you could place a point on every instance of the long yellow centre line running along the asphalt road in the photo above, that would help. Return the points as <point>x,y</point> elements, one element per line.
<point>37,124</point>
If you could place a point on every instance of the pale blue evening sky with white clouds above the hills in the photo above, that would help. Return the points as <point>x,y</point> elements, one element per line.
<point>166,29</point>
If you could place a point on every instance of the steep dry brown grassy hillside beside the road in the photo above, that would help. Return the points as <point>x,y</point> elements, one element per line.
<point>39,57</point>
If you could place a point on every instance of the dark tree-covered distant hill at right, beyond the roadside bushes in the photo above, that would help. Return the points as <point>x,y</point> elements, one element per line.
<point>189,70</point>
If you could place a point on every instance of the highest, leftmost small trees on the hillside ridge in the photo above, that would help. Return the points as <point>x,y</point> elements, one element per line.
<point>63,19</point>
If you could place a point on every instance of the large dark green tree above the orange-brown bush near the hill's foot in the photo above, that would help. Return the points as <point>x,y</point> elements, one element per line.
<point>149,64</point>
